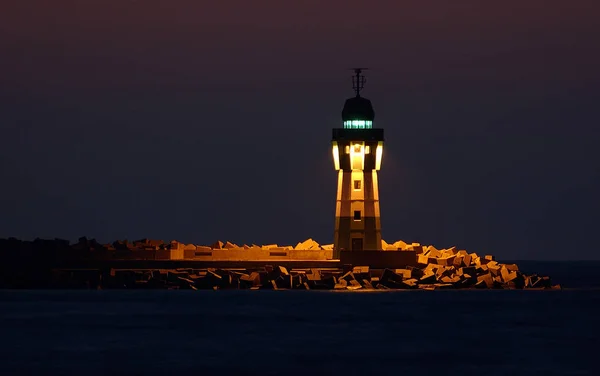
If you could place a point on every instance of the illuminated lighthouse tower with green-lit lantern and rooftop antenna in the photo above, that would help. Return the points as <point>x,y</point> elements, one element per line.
<point>357,150</point>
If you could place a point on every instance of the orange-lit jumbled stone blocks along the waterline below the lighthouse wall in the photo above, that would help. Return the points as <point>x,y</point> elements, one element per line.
<point>463,272</point>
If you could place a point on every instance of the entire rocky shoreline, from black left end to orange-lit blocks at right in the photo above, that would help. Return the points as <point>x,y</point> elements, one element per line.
<point>36,265</point>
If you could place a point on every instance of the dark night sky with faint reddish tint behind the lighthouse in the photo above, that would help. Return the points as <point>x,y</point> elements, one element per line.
<point>205,120</point>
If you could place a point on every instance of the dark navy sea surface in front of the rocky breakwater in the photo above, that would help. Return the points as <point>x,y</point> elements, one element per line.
<point>450,332</point>
